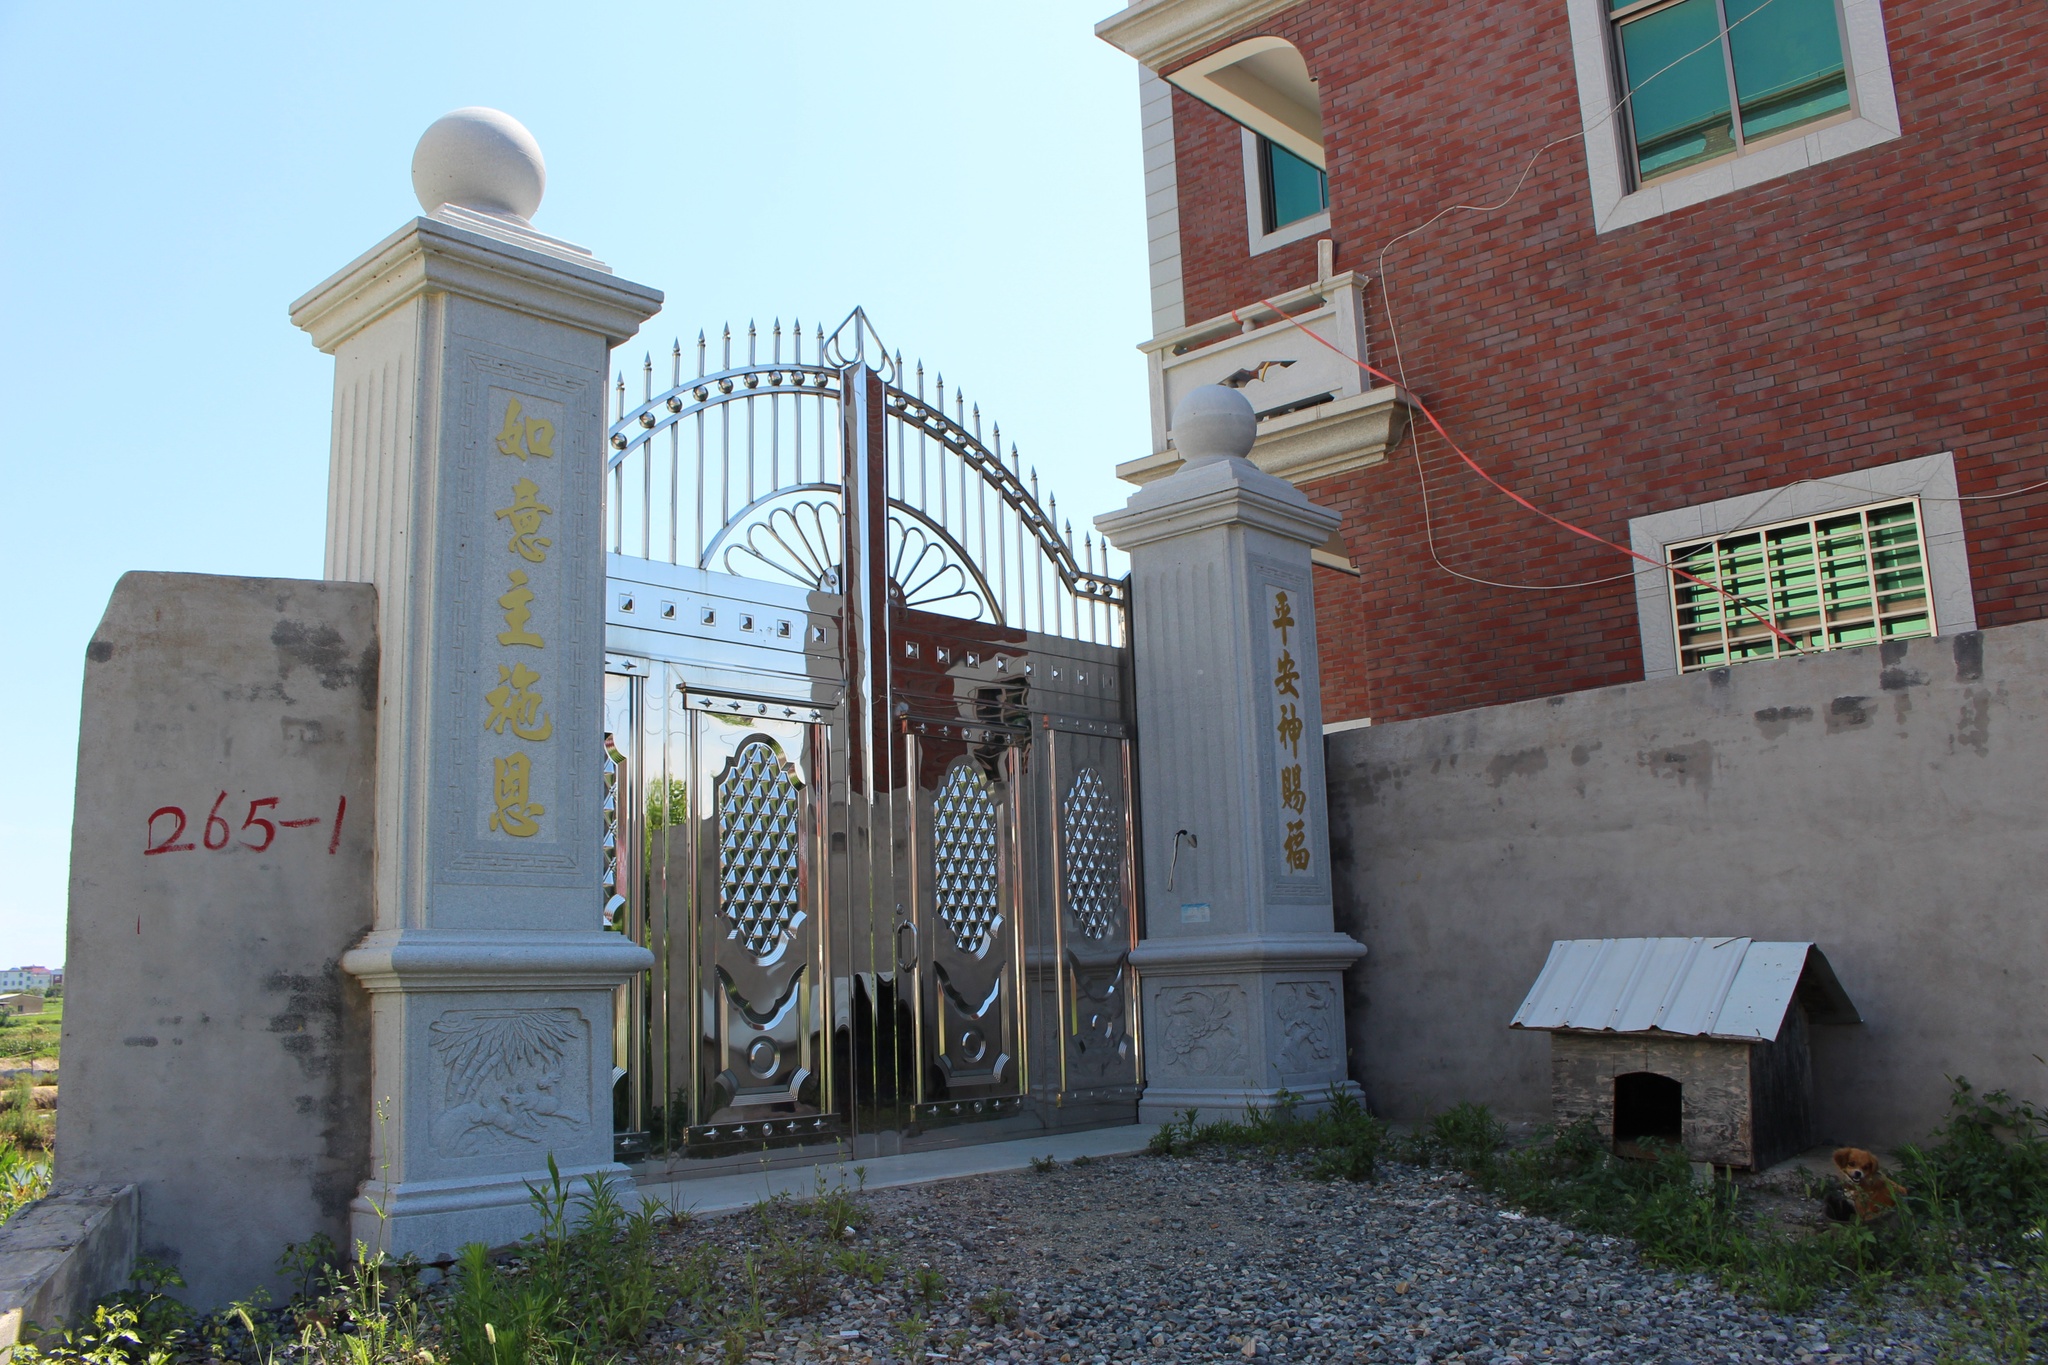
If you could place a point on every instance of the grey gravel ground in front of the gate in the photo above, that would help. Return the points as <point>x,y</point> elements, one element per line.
<point>1215,1260</point>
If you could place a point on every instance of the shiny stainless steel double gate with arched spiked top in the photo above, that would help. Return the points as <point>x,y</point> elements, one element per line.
<point>869,768</point>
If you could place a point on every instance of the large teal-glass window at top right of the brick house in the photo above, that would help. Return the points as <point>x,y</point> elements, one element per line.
<point>1709,77</point>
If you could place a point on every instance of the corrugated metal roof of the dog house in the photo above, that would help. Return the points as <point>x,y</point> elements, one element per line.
<point>1736,987</point>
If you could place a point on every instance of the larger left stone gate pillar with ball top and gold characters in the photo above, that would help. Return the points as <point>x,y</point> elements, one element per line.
<point>470,359</point>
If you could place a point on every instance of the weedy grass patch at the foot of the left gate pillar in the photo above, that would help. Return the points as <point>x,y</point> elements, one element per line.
<point>589,1288</point>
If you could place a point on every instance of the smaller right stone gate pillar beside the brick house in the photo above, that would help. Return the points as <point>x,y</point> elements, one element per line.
<point>1240,963</point>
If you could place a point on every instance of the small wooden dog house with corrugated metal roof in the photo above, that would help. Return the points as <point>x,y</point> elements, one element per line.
<point>1701,1043</point>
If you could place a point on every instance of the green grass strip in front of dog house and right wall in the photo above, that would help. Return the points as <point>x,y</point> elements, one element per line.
<point>1971,1231</point>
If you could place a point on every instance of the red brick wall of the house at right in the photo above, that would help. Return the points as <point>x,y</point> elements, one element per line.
<point>1877,308</point>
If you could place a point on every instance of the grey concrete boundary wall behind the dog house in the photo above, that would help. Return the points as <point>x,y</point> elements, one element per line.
<point>1887,803</point>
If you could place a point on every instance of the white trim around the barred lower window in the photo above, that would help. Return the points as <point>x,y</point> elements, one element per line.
<point>1930,478</point>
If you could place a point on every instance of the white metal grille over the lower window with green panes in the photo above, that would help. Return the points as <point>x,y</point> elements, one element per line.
<point>1830,582</point>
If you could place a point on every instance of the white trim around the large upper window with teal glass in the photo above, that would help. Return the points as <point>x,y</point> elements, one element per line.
<point>1873,120</point>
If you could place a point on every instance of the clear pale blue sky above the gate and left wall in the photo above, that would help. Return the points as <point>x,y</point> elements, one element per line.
<point>173,177</point>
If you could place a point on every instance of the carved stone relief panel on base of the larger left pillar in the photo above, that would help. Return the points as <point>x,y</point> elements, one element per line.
<point>511,1080</point>
